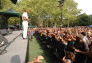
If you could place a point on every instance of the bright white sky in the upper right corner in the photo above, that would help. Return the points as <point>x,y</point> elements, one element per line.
<point>85,5</point>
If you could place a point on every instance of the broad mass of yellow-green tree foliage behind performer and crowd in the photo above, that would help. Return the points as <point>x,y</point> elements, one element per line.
<point>46,12</point>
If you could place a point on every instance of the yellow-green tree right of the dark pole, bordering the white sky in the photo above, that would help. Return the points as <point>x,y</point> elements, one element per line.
<point>70,12</point>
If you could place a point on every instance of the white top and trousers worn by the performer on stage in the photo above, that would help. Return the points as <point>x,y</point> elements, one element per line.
<point>25,24</point>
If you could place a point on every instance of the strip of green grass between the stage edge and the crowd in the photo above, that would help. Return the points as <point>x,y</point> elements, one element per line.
<point>35,49</point>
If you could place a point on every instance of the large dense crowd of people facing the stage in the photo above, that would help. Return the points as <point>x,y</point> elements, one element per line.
<point>69,45</point>
